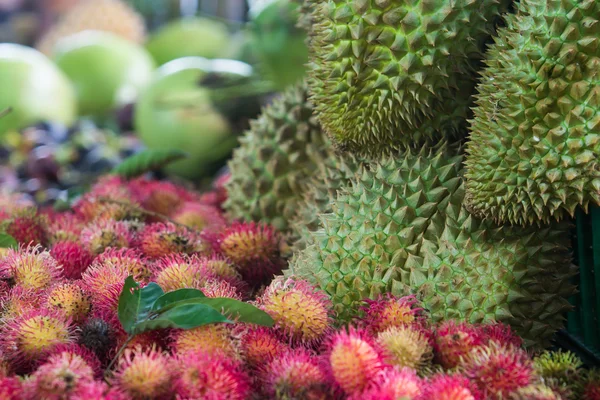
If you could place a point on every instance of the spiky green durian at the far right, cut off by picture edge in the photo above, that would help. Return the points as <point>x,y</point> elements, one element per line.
<point>535,137</point>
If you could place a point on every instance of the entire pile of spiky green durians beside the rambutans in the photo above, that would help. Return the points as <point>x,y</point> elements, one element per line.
<point>448,144</point>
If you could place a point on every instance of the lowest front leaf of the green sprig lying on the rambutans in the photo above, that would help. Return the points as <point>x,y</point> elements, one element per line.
<point>184,316</point>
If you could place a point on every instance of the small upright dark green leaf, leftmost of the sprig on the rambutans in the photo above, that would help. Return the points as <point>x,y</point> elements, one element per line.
<point>136,303</point>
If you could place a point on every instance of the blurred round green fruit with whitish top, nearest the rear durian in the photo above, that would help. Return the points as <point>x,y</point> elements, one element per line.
<point>179,111</point>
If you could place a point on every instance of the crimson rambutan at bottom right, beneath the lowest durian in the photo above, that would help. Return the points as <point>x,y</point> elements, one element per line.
<point>498,370</point>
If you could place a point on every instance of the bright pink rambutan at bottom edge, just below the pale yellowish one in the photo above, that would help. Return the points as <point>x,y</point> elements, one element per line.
<point>392,384</point>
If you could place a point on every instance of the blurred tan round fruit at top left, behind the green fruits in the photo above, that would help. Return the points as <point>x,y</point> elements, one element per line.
<point>114,16</point>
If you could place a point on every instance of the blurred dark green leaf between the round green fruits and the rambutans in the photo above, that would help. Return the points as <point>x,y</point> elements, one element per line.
<point>147,160</point>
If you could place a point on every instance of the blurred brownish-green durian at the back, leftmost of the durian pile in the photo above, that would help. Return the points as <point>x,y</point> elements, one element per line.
<point>277,156</point>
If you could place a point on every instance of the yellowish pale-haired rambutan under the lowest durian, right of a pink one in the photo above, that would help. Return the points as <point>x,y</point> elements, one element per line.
<point>405,346</point>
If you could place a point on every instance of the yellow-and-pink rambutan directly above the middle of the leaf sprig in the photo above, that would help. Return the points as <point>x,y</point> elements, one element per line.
<point>178,271</point>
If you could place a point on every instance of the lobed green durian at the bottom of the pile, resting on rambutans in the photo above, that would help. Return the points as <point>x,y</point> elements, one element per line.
<point>401,228</point>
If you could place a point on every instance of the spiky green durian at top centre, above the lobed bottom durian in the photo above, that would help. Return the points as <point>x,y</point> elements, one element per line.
<point>380,69</point>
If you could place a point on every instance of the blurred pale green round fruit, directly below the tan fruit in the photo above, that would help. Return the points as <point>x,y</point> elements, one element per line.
<point>107,71</point>
